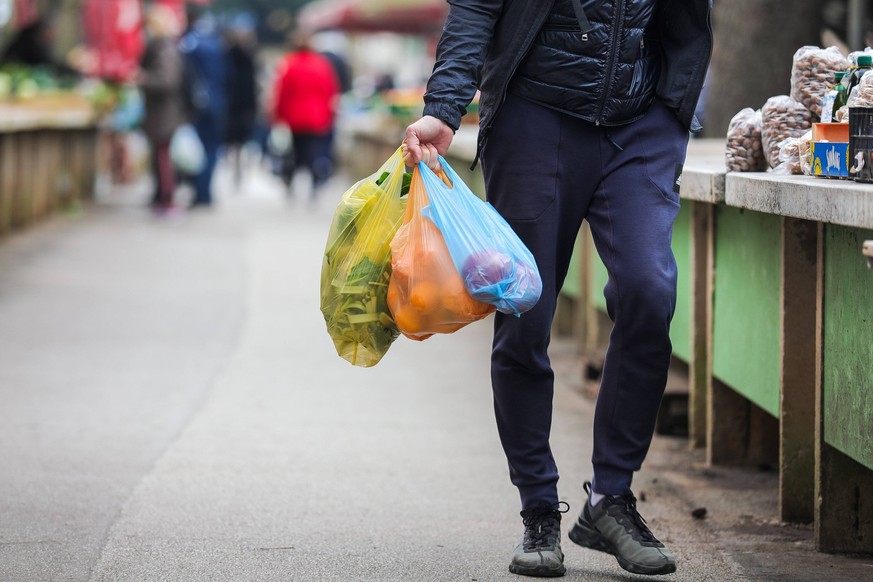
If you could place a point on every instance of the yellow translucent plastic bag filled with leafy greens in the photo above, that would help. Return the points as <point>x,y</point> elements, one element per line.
<point>357,265</point>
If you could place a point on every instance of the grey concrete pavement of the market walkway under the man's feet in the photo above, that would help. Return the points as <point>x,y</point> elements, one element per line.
<point>173,410</point>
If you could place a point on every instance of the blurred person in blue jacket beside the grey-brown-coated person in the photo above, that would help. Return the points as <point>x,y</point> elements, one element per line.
<point>205,94</point>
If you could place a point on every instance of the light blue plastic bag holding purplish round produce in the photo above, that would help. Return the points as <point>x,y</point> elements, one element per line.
<point>495,265</point>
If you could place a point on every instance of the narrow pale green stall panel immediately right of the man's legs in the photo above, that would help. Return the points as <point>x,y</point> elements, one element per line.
<point>680,329</point>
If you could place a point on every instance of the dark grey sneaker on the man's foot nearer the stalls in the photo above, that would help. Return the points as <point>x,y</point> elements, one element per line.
<point>614,526</point>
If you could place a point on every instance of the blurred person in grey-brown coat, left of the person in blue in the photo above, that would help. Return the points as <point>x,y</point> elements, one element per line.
<point>160,80</point>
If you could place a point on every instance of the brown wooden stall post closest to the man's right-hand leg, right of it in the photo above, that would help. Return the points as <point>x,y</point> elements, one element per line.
<point>699,367</point>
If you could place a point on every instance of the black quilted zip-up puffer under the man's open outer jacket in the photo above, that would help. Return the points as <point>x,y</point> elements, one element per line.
<point>572,72</point>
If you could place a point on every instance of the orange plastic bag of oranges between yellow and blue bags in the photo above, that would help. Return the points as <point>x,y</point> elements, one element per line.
<point>426,294</point>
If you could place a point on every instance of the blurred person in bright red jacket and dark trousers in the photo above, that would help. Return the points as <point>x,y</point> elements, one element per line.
<point>305,95</point>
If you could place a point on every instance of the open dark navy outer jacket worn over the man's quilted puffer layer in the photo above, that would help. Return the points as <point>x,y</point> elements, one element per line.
<point>485,41</point>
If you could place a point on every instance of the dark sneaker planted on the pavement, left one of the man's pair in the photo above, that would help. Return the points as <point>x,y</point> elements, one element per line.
<point>539,551</point>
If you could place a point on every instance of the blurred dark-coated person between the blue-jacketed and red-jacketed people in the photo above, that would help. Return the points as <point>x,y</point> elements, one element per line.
<point>242,100</point>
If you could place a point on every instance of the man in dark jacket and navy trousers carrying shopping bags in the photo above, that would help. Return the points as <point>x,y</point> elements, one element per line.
<point>586,109</point>
